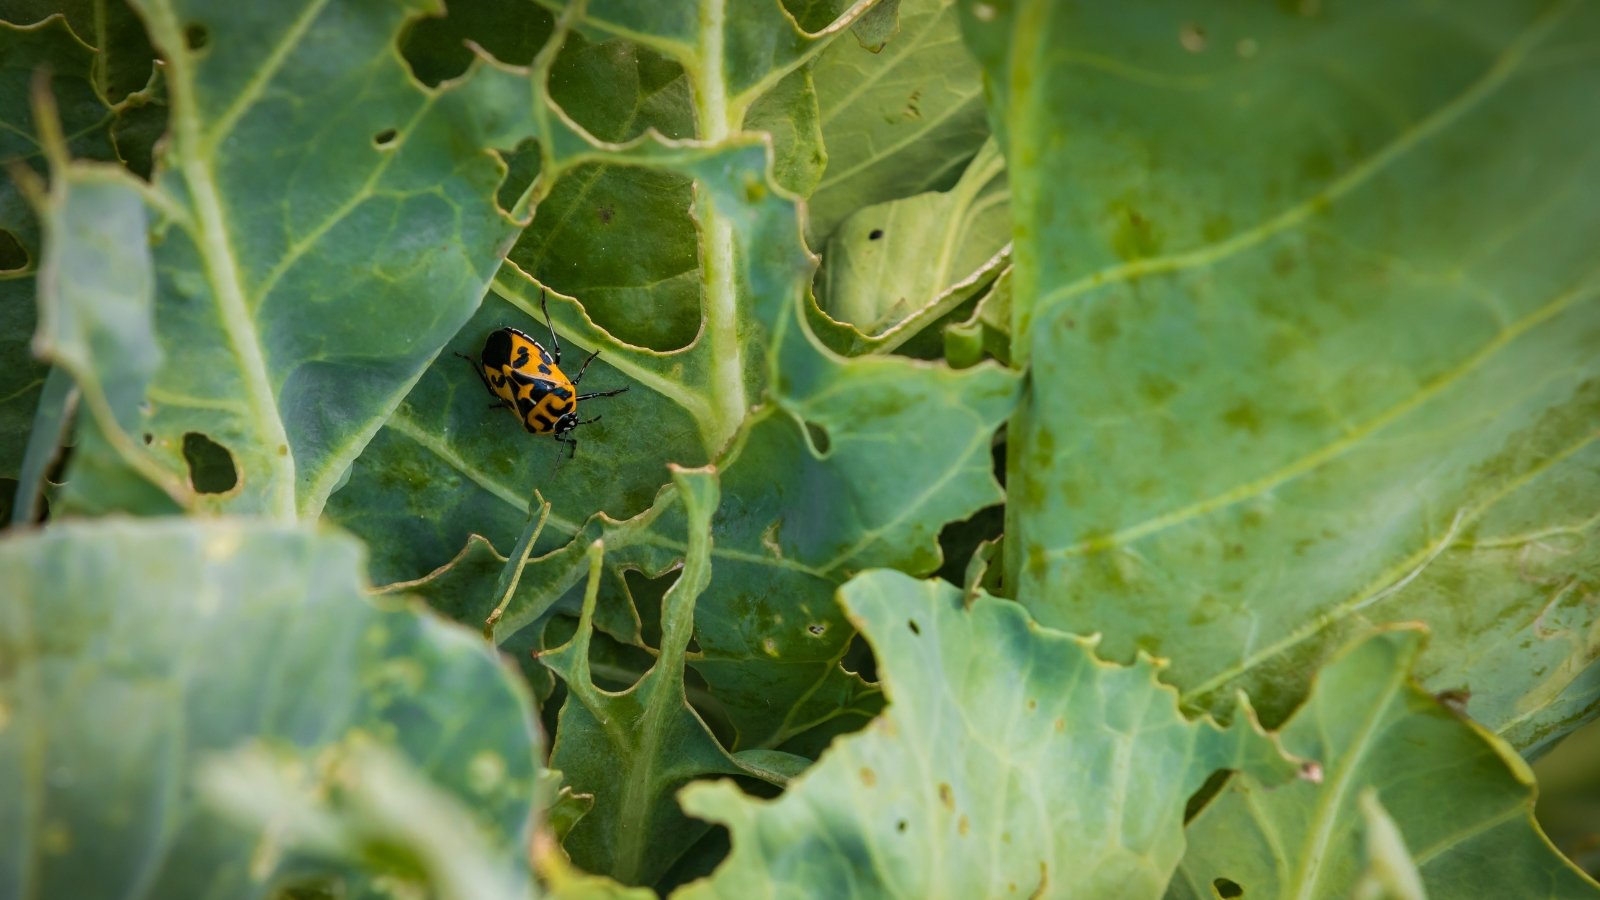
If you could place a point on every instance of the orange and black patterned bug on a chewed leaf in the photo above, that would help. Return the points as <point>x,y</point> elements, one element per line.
<point>529,380</point>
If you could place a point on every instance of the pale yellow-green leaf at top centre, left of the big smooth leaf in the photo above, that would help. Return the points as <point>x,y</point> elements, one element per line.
<point>897,123</point>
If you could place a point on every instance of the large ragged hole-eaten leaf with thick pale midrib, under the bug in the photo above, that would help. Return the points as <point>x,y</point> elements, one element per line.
<point>770,635</point>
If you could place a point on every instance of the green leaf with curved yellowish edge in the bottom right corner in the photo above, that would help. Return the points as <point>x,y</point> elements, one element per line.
<point>1460,798</point>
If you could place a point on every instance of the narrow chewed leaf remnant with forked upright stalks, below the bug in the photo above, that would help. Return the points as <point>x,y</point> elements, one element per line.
<point>636,749</point>
